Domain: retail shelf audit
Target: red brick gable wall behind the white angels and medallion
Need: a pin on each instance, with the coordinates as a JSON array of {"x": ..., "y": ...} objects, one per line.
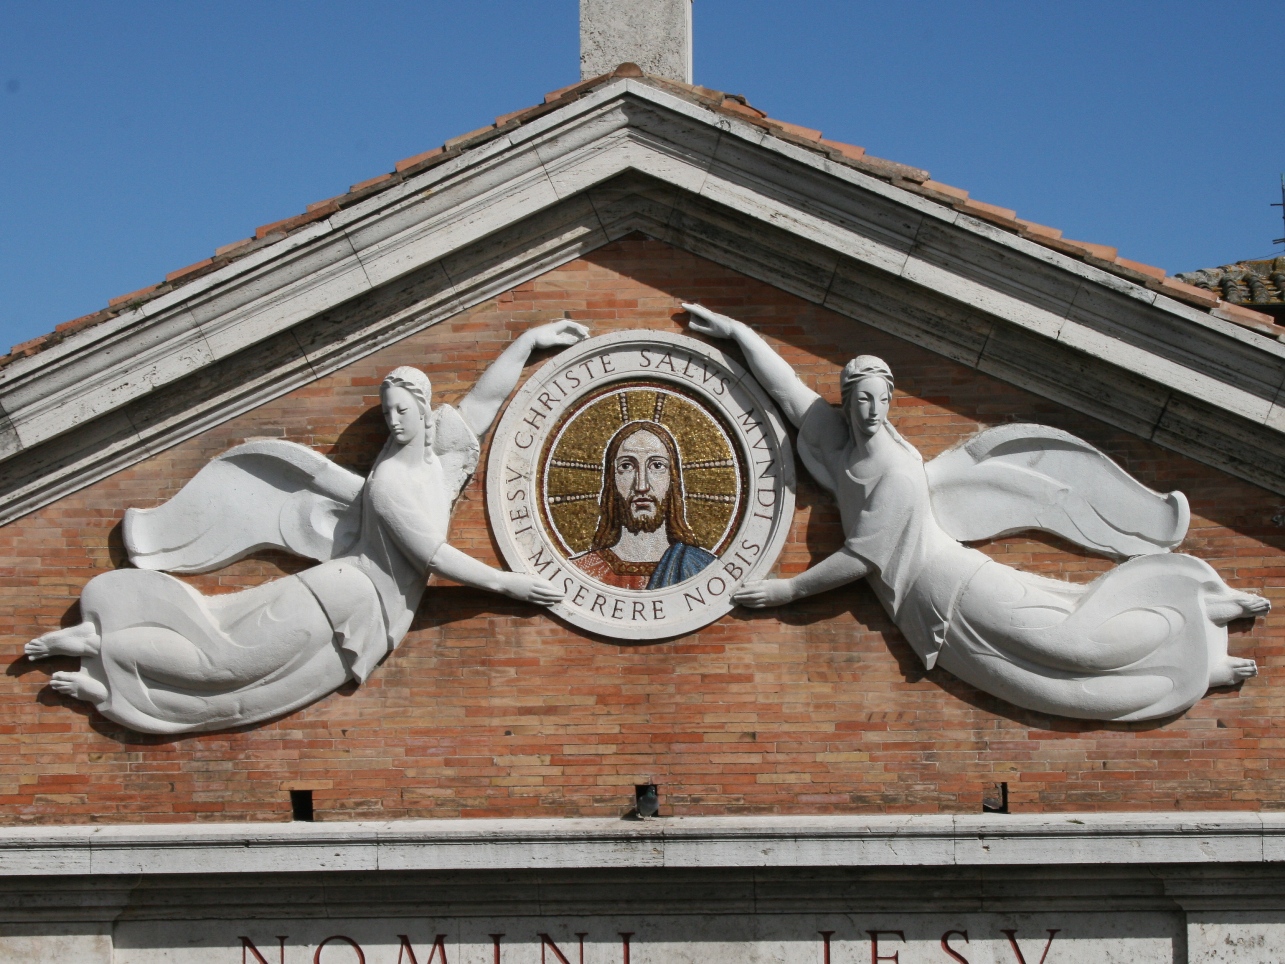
[{"x": 490, "y": 709}]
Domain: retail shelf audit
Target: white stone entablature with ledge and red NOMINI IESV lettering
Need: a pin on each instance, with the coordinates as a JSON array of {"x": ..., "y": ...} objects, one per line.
[{"x": 797, "y": 890}]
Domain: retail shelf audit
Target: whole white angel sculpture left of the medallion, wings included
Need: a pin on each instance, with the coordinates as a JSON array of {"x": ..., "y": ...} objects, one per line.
[{"x": 160, "y": 657}]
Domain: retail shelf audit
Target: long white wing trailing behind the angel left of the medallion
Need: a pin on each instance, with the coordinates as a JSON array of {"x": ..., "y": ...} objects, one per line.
[{"x": 269, "y": 494}]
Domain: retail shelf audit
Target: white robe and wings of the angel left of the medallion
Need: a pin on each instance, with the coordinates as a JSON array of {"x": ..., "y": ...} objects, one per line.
[{"x": 177, "y": 661}]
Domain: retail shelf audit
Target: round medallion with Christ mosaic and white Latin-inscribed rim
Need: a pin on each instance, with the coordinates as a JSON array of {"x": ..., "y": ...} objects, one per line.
[{"x": 648, "y": 476}]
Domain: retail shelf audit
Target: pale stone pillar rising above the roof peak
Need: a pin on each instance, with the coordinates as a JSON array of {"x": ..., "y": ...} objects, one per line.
[{"x": 653, "y": 34}]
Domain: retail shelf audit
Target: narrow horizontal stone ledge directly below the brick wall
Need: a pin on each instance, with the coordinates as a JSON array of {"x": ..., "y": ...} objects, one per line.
[{"x": 675, "y": 843}]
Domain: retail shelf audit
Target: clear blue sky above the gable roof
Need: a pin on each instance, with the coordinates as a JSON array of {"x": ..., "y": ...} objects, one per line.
[{"x": 138, "y": 137}]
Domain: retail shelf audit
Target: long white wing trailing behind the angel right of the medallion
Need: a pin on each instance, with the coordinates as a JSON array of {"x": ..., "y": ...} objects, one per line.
[{"x": 1022, "y": 478}]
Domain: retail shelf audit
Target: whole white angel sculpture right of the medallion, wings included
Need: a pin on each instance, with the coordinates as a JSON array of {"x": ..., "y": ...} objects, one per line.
[{"x": 1140, "y": 642}]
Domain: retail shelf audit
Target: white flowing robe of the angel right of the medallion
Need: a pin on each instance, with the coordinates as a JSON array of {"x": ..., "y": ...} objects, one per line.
[{"x": 1133, "y": 645}]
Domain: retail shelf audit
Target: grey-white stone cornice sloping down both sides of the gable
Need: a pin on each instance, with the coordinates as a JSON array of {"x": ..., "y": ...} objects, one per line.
[{"x": 632, "y": 157}]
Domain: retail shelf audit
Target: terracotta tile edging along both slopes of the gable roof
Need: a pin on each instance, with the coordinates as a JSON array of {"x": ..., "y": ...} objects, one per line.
[{"x": 905, "y": 177}]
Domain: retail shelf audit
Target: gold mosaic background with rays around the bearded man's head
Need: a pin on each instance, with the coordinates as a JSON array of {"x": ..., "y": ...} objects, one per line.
[{"x": 574, "y": 469}]
